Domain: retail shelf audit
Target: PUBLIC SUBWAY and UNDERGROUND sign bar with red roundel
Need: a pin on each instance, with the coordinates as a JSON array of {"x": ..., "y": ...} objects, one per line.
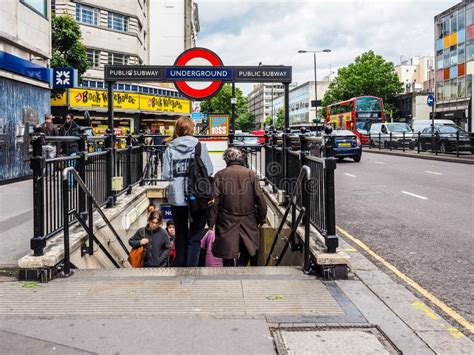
[{"x": 198, "y": 73}]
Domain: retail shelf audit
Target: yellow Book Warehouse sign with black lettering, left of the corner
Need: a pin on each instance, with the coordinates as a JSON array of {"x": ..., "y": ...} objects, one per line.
[{"x": 99, "y": 98}]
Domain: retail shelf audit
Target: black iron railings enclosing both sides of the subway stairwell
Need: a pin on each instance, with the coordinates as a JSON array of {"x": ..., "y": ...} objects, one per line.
[{"x": 98, "y": 160}]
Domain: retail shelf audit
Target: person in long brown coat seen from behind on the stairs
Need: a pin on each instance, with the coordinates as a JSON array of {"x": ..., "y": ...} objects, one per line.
[{"x": 238, "y": 213}]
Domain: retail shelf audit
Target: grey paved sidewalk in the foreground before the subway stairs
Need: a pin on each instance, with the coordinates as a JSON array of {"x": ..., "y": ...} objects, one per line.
[{"x": 222, "y": 311}]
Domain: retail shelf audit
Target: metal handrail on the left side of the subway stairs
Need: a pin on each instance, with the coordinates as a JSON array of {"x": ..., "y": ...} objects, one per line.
[{"x": 66, "y": 212}]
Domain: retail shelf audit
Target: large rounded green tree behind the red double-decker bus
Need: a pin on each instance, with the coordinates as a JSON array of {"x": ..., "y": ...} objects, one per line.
[{"x": 370, "y": 74}]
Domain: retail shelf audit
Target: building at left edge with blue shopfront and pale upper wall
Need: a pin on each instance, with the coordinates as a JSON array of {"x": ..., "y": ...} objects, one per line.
[{"x": 25, "y": 51}]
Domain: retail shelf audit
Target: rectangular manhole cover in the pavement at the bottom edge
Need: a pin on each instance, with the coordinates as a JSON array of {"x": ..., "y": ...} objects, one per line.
[{"x": 332, "y": 340}]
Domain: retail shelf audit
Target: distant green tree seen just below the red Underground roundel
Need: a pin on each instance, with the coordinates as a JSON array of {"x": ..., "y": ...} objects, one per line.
[{"x": 220, "y": 104}]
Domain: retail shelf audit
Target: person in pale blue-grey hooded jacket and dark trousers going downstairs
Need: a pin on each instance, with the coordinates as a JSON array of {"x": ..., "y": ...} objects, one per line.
[{"x": 189, "y": 221}]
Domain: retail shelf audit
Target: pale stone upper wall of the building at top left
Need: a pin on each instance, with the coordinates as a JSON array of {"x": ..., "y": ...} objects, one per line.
[{"x": 25, "y": 33}]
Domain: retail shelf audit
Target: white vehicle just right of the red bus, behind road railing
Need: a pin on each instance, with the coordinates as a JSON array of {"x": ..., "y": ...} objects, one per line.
[{"x": 394, "y": 134}]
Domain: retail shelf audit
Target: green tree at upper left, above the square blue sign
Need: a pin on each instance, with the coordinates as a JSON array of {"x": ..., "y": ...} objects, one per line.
[{"x": 67, "y": 48}]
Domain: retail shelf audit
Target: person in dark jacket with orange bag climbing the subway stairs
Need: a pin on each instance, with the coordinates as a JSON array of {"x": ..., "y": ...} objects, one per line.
[{"x": 154, "y": 239}]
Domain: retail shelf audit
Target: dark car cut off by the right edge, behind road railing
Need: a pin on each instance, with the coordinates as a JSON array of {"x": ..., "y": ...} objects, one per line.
[{"x": 446, "y": 139}]
